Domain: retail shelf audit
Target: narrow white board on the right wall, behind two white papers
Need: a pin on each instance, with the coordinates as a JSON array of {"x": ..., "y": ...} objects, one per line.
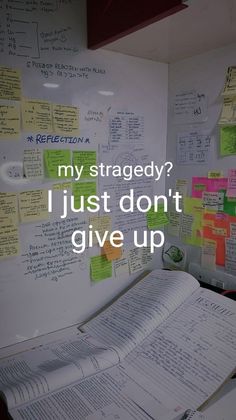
[{"x": 206, "y": 74}]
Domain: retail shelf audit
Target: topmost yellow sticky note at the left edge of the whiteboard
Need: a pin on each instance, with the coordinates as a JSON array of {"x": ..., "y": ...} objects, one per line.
[{"x": 10, "y": 84}]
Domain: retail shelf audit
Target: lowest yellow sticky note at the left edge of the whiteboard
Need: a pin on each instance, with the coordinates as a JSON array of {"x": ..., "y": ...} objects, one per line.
[{"x": 9, "y": 241}]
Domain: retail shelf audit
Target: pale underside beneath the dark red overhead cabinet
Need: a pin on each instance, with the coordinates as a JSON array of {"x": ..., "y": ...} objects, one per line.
[{"x": 203, "y": 26}]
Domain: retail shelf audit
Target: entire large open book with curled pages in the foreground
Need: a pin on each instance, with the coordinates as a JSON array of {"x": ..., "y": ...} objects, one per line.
[{"x": 163, "y": 346}]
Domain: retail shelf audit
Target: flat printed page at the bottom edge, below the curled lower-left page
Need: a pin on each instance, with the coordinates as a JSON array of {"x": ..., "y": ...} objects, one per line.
[{"x": 102, "y": 396}]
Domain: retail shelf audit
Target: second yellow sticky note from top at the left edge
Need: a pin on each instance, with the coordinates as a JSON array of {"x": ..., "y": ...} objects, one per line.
[{"x": 9, "y": 122}]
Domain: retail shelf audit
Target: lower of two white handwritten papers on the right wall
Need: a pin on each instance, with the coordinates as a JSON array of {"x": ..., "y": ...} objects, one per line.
[{"x": 193, "y": 148}]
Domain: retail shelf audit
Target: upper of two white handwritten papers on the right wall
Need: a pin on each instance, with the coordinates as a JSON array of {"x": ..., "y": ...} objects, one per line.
[{"x": 189, "y": 107}]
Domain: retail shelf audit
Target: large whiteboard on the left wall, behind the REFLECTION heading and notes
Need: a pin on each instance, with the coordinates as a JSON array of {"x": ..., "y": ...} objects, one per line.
[{"x": 46, "y": 41}]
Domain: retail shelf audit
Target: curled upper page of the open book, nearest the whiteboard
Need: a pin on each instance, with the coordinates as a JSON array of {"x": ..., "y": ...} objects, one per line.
[{"x": 140, "y": 310}]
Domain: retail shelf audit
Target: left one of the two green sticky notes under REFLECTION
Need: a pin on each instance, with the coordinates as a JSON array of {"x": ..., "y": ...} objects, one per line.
[{"x": 55, "y": 158}]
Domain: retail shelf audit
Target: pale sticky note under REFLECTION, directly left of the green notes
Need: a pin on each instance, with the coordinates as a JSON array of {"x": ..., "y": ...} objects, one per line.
[{"x": 33, "y": 164}]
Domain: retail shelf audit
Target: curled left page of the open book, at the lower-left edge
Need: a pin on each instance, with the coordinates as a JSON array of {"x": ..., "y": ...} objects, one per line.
[{"x": 36, "y": 372}]
